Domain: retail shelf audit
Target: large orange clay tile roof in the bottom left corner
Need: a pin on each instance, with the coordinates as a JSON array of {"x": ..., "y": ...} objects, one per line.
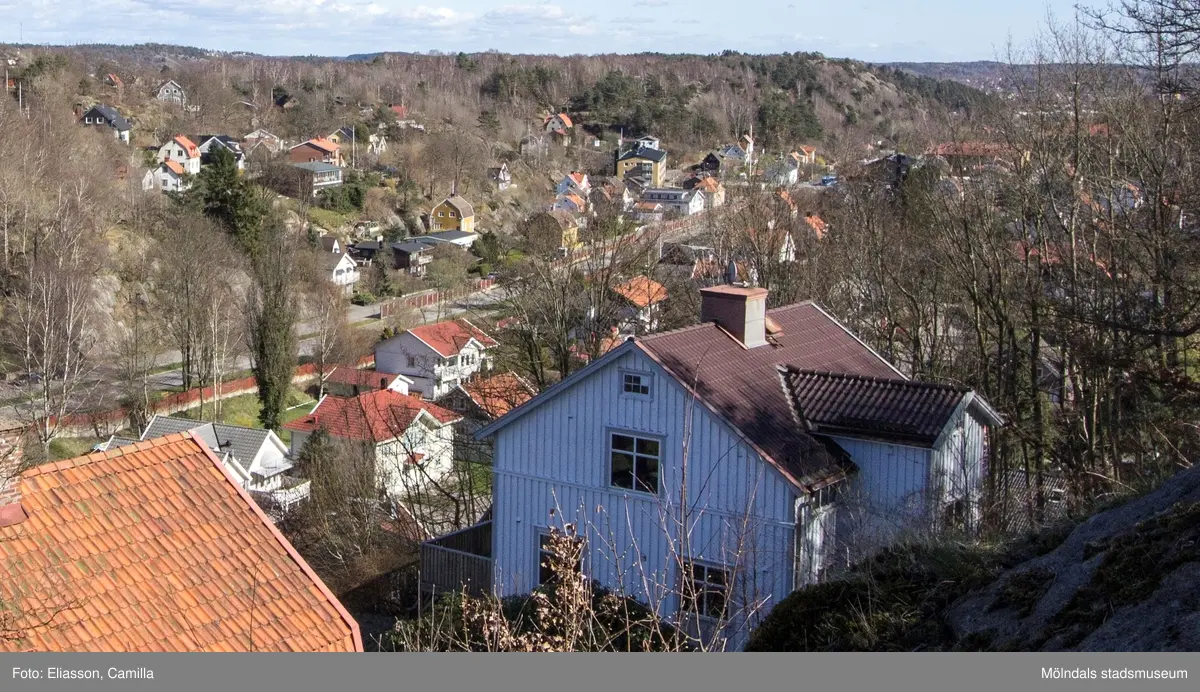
[{"x": 153, "y": 547}]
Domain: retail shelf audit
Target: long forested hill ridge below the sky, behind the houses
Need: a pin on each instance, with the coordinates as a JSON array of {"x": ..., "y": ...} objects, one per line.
[{"x": 692, "y": 101}]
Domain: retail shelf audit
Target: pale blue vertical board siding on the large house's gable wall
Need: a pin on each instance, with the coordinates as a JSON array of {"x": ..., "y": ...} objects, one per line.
[{"x": 553, "y": 467}]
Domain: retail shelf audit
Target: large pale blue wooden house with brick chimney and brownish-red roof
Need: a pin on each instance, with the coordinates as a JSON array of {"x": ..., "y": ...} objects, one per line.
[{"x": 788, "y": 444}]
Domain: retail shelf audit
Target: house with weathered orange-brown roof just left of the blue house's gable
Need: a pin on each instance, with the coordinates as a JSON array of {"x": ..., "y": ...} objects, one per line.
[{"x": 479, "y": 402}]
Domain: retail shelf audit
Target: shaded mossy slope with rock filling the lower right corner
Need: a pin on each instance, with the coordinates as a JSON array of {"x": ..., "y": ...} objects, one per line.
[{"x": 1124, "y": 580}]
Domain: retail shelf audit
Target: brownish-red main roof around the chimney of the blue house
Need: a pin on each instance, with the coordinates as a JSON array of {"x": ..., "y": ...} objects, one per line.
[{"x": 745, "y": 386}]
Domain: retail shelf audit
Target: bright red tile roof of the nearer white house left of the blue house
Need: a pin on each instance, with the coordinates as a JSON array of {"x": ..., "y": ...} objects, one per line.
[{"x": 374, "y": 417}]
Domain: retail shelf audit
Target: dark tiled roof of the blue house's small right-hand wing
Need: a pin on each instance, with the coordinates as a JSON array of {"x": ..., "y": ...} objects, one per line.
[{"x": 839, "y": 404}]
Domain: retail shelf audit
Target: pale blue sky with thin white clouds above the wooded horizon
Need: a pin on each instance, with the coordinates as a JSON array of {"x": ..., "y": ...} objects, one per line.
[{"x": 872, "y": 31}]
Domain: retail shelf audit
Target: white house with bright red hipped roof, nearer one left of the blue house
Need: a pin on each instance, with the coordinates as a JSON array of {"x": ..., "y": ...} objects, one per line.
[{"x": 411, "y": 441}]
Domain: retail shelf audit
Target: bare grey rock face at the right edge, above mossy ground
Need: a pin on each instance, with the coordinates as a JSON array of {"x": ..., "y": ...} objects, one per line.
[{"x": 1124, "y": 581}]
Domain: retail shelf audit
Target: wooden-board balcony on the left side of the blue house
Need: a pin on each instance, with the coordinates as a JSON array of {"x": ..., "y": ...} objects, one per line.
[{"x": 459, "y": 561}]
